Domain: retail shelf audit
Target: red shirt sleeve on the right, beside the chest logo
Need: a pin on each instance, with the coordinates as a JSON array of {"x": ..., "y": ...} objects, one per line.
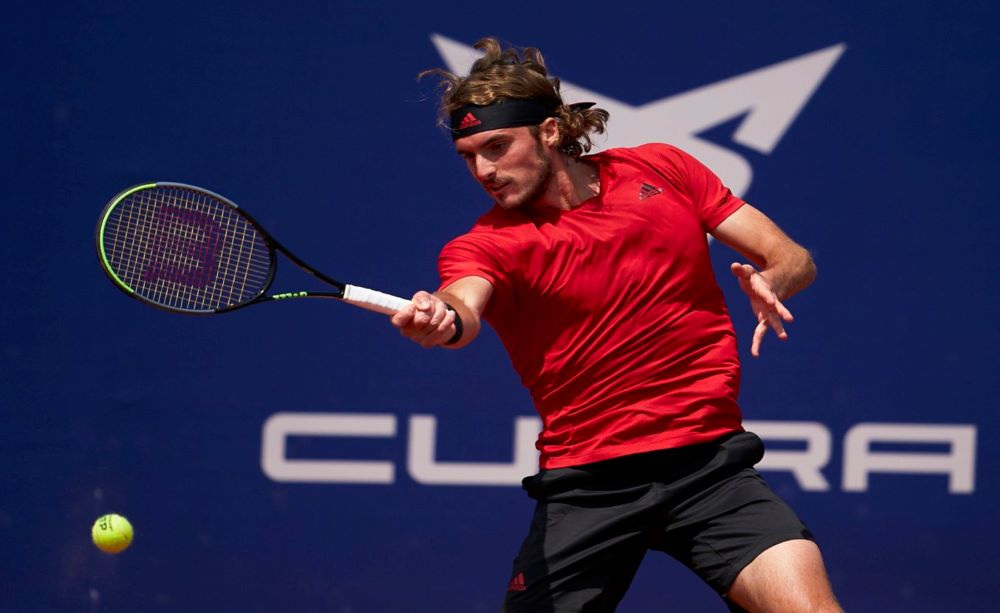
[{"x": 713, "y": 202}]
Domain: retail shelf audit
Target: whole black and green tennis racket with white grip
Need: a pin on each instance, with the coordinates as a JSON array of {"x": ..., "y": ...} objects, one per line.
[{"x": 189, "y": 250}]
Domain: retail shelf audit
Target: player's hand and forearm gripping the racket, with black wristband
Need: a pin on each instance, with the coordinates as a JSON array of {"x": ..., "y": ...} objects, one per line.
[{"x": 428, "y": 321}]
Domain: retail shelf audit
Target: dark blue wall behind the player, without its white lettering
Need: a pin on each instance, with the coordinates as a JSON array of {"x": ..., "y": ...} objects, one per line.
[{"x": 309, "y": 116}]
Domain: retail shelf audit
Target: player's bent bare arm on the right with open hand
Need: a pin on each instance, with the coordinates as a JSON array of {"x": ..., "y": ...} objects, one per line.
[{"x": 780, "y": 268}]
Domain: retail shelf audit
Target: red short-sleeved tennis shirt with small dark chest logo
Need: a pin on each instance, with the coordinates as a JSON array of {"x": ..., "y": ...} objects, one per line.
[{"x": 610, "y": 311}]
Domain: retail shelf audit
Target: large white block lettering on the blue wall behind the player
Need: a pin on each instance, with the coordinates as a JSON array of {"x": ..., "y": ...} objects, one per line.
[{"x": 806, "y": 465}]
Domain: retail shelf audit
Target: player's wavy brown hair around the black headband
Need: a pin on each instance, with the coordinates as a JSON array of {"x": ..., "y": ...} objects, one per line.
[{"x": 518, "y": 73}]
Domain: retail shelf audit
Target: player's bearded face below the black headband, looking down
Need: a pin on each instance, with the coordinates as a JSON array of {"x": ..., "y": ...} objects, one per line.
[{"x": 511, "y": 164}]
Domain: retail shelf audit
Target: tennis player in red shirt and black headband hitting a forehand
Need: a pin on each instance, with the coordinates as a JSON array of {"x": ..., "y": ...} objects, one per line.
[{"x": 594, "y": 270}]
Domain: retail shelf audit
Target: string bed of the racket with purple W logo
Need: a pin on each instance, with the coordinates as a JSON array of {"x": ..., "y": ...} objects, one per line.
[{"x": 185, "y": 249}]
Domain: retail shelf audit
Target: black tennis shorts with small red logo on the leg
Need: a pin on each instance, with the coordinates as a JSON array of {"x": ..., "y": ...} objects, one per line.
[{"x": 705, "y": 505}]
